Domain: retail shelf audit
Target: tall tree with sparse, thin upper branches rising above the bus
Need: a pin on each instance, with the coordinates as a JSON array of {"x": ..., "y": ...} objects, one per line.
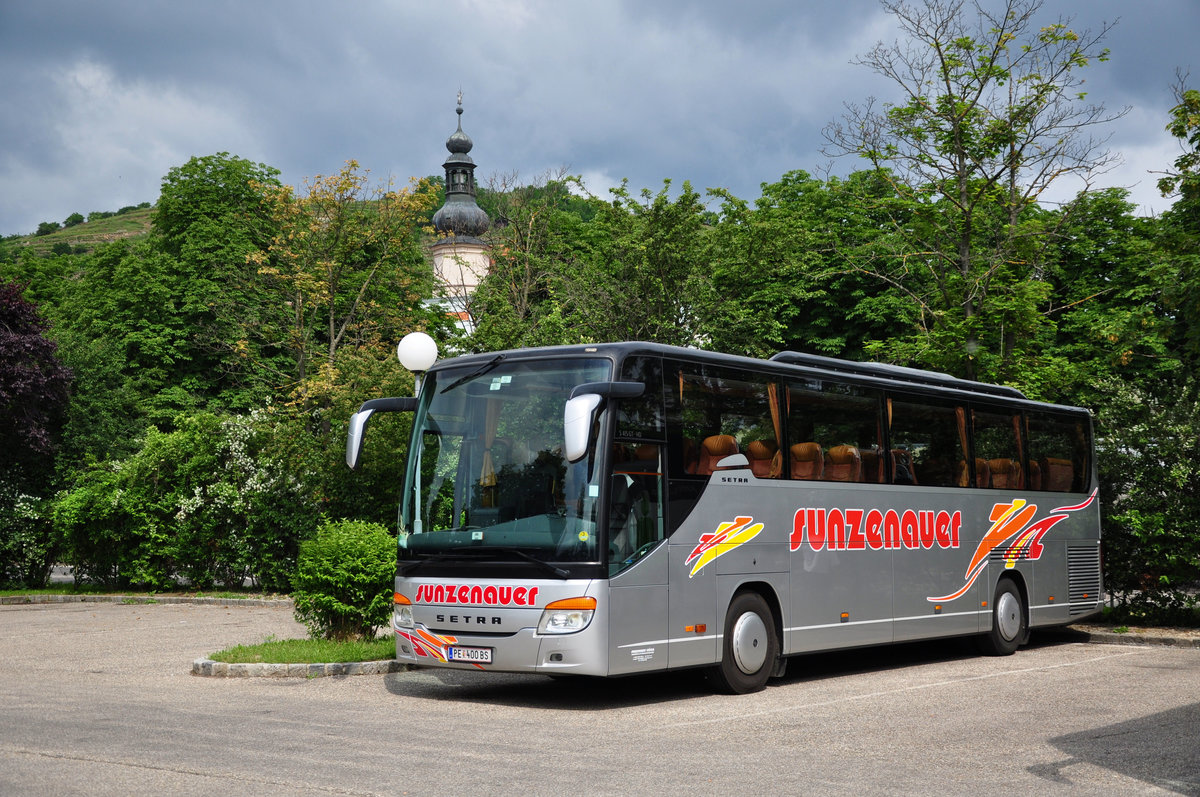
[{"x": 991, "y": 116}]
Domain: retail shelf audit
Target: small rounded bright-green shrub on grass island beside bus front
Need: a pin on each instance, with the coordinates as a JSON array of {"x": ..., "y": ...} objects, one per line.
[{"x": 344, "y": 580}]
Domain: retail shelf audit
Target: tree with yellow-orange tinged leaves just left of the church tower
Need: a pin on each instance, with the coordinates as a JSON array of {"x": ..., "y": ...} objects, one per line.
[{"x": 346, "y": 272}]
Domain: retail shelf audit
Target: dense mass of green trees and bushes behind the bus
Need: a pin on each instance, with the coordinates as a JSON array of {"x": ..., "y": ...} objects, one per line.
[{"x": 218, "y": 344}]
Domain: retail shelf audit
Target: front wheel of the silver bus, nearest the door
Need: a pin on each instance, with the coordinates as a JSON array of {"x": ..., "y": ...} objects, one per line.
[{"x": 751, "y": 646}]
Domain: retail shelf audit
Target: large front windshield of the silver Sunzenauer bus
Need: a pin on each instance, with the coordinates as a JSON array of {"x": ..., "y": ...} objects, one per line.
[{"x": 490, "y": 471}]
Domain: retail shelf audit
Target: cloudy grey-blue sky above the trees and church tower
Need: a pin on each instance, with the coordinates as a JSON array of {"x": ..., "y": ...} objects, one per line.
[{"x": 99, "y": 100}]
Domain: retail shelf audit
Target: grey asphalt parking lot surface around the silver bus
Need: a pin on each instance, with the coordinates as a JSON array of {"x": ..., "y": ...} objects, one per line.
[{"x": 98, "y": 699}]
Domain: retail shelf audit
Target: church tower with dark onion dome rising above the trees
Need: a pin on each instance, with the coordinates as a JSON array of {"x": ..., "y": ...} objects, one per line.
[{"x": 460, "y": 257}]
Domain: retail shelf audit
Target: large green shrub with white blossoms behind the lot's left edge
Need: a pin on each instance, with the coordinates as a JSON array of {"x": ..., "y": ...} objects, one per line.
[{"x": 203, "y": 505}]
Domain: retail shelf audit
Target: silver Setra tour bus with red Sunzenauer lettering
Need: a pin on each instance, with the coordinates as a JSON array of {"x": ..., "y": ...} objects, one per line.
[{"x": 628, "y": 508}]
